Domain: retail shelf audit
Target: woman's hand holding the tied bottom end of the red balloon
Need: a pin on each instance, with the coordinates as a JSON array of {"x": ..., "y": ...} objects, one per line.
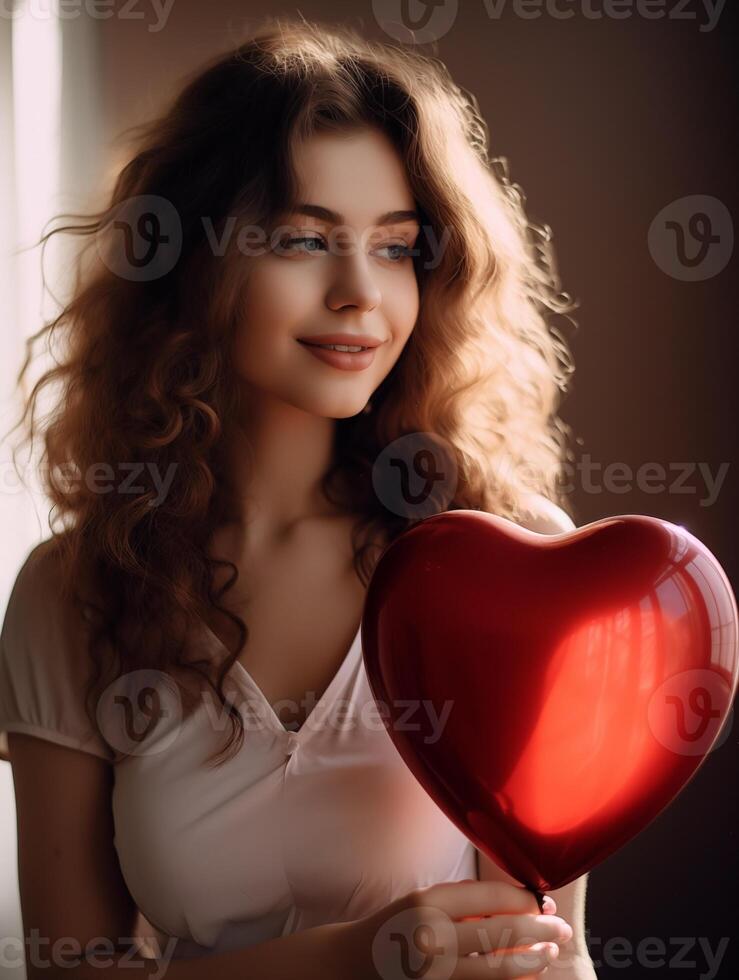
[{"x": 459, "y": 930}]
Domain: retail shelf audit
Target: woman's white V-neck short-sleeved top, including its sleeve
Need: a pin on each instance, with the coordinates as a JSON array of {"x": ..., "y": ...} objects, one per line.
[{"x": 325, "y": 824}]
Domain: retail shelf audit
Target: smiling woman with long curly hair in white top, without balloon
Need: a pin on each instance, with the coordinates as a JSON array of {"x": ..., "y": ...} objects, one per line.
[{"x": 307, "y": 189}]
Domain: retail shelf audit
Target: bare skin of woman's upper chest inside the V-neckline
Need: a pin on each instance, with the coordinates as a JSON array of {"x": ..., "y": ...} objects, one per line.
[{"x": 302, "y": 604}]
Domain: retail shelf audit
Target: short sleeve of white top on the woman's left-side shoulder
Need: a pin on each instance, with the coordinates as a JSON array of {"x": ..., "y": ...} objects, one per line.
[{"x": 44, "y": 666}]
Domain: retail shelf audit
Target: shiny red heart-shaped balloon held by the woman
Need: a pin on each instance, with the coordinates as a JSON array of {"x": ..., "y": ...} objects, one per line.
[{"x": 566, "y": 686}]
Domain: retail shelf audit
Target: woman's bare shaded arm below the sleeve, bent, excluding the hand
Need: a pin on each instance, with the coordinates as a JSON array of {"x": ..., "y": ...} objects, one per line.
[{"x": 74, "y": 898}]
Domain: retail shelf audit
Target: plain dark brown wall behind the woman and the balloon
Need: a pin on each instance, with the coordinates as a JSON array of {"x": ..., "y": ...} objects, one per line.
[{"x": 604, "y": 123}]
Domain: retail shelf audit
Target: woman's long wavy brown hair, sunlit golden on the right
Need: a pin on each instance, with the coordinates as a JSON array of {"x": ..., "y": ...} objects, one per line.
[{"x": 146, "y": 376}]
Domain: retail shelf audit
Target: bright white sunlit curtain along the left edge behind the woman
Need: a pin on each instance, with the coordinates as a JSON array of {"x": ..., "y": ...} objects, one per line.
[{"x": 51, "y": 161}]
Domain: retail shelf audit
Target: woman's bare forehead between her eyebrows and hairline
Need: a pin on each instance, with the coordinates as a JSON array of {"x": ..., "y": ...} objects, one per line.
[{"x": 358, "y": 174}]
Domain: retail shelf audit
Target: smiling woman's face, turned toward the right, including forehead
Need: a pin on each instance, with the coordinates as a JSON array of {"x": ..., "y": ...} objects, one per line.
[{"x": 320, "y": 274}]
